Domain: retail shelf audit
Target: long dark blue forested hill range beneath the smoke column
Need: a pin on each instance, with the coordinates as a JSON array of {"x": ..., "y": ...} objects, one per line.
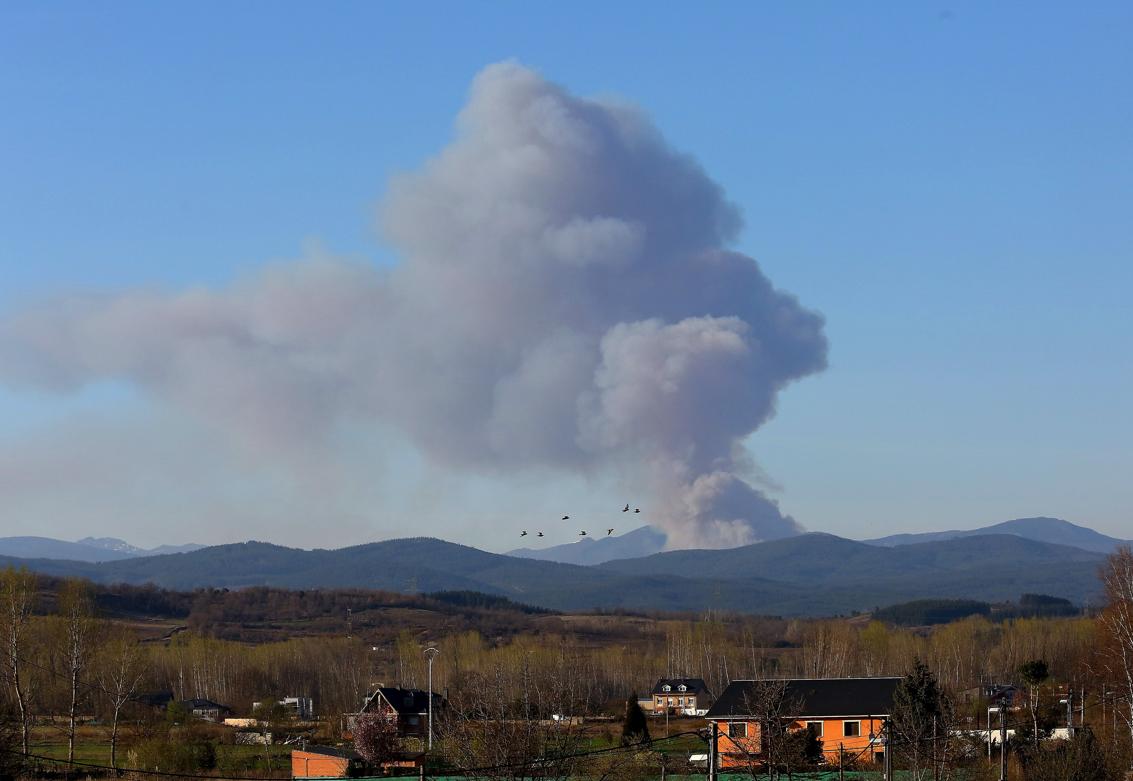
[{"x": 807, "y": 575}]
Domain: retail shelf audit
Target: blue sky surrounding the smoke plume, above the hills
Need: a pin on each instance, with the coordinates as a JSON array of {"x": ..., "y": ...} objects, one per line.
[{"x": 949, "y": 184}]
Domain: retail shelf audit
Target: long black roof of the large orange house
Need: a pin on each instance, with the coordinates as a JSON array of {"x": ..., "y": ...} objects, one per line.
[{"x": 814, "y": 698}]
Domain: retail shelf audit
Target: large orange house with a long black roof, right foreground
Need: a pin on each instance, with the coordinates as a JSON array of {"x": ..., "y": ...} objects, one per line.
[{"x": 847, "y": 715}]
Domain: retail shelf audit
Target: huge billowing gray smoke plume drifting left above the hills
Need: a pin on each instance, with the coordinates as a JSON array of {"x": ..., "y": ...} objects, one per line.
[{"x": 565, "y": 299}]
